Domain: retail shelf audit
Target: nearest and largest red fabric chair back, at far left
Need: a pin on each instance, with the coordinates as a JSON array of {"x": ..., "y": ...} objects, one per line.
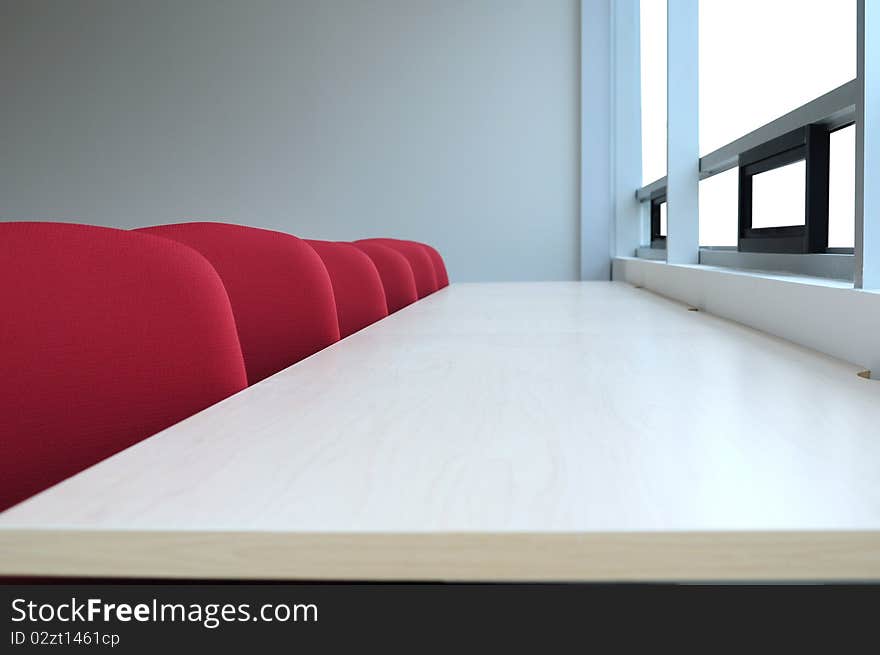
[{"x": 106, "y": 337}]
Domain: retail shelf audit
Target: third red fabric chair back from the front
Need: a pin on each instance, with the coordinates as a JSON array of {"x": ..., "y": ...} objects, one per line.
[{"x": 357, "y": 287}]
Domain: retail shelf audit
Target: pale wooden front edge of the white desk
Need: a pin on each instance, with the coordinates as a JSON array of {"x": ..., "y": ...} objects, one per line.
[{"x": 464, "y": 556}]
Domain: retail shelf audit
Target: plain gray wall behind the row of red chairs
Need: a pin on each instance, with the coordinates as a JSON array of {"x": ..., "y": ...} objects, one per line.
[{"x": 445, "y": 121}]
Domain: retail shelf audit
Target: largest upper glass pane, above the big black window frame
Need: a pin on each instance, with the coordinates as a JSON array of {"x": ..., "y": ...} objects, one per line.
[{"x": 759, "y": 59}]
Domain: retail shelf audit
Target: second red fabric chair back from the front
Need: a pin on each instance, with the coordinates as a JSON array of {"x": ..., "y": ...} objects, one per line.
[{"x": 278, "y": 286}]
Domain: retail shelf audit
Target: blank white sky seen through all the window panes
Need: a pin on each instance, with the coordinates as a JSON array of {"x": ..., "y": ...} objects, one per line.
[{"x": 759, "y": 59}]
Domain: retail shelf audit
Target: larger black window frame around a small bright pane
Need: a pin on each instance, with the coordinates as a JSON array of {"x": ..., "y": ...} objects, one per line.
[{"x": 810, "y": 144}]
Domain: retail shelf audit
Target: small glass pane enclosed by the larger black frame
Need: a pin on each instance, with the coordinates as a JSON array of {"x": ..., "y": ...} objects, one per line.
[{"x": 779, "y": 196}]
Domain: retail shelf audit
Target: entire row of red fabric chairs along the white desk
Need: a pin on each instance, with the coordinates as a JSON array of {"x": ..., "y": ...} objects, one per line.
[{"x": 108, "y": 336}]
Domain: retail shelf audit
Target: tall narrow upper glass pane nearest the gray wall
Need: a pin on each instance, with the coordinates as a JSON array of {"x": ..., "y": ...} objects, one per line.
[{"x": 653, "y": 71}]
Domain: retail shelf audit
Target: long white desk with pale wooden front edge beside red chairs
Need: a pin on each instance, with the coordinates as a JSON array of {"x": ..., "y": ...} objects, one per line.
[{"x": 522, "y": 431}]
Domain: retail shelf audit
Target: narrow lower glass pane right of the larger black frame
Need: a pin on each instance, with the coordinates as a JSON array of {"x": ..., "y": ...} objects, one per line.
[{"x": 842, "y": 189}]
